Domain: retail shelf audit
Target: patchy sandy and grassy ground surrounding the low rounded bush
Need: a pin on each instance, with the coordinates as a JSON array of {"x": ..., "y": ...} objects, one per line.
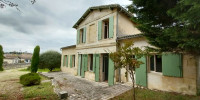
[{"x": 11, "y": 89}]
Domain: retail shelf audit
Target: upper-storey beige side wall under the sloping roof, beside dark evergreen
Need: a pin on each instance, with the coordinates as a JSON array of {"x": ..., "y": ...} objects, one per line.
[{"x": 126, "y": 26}]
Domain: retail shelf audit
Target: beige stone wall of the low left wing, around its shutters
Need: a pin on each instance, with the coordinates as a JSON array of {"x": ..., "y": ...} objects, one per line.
[{"x": 69, "y": 51}]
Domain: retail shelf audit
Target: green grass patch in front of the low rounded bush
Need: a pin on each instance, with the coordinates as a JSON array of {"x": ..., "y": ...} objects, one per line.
[{"x": 42, "y": 91}]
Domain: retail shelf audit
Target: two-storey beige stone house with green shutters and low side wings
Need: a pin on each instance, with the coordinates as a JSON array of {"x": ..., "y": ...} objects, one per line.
[{"x": 99, "y": 29}]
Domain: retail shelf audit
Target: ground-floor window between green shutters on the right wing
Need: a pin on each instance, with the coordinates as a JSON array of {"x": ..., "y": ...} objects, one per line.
[{"x": 155, "y": 63}]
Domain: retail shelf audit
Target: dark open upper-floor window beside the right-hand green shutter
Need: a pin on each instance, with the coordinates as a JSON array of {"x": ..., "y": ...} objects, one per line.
[{"x": 105, "y": 34}]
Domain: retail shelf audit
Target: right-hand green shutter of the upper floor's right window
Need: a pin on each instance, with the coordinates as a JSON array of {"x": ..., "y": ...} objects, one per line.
[{"x": 111, "y": 27}]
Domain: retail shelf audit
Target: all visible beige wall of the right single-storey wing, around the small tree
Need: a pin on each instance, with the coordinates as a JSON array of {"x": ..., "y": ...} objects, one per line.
[{"x": 155, "y": 80}]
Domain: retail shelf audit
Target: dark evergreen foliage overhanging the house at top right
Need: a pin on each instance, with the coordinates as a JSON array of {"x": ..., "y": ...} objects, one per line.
[{"x": 171, "y": 25}]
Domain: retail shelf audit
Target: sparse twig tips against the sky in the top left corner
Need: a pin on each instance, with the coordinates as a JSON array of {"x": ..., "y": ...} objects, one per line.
[{"x": 4, "y": 3}]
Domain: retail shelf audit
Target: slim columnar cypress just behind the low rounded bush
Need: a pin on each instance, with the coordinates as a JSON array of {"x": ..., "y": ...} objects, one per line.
[{"x": 35, "y": 59}]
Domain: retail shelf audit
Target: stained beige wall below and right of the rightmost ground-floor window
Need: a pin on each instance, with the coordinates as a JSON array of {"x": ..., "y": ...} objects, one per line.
[{"x": 187, "y": 84}]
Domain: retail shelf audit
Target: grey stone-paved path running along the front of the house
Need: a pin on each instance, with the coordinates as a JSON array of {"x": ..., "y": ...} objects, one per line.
[{"x": 83, "y": 89}]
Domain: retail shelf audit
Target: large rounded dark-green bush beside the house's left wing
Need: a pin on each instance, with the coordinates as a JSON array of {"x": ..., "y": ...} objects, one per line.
[{"x": 50, "y": 60}]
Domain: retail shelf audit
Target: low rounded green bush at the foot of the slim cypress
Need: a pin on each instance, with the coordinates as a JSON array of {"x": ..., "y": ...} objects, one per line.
[{"x": 30, "y": 79}]
